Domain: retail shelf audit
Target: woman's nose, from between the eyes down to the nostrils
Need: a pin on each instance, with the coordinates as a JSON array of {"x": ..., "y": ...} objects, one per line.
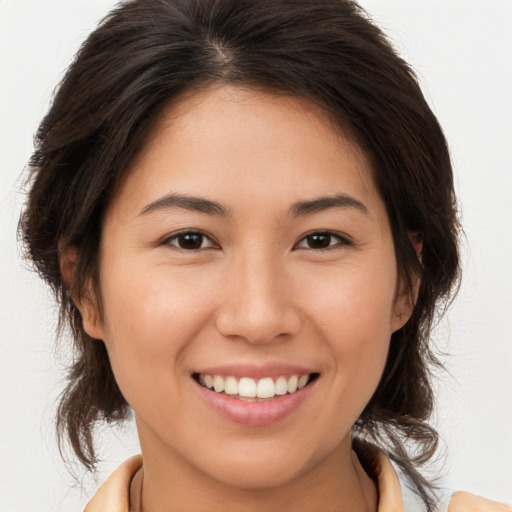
[{"x": 257, "y": 303}]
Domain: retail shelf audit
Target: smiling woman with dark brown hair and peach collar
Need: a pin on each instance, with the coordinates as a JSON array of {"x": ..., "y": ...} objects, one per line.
[{"x": 246, "y": 210}]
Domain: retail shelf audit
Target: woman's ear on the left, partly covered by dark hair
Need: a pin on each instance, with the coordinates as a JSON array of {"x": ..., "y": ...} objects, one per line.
[{"x": 84, "y": 299}]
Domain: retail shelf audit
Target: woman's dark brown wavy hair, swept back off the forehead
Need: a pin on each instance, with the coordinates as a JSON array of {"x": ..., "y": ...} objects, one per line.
[{"x": 140, "y": 58}]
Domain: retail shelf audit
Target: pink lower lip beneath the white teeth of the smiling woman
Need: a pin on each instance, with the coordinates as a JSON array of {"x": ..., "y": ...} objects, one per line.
[{"x": 255, "y": 414}]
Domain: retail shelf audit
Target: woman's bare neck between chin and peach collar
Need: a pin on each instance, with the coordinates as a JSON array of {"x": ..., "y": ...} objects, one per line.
[{"x": 338, "y": 484}]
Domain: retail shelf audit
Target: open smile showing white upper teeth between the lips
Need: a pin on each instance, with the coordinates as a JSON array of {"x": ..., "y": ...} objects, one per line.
[{"x": 255, "y": 390}]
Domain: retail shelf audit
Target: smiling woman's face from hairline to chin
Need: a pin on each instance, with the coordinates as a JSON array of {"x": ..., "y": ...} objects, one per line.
[{"x": 248, "y": 241}]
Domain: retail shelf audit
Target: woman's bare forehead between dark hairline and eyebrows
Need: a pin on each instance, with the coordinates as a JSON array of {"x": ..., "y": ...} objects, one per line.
[{"x": 224, "y": 139}]
